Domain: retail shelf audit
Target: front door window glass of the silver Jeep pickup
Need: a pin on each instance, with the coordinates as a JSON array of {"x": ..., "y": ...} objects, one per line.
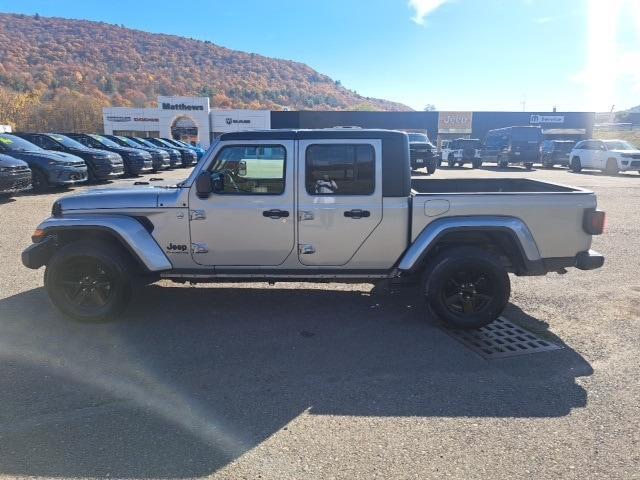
[{"x": 251, "y": 169}]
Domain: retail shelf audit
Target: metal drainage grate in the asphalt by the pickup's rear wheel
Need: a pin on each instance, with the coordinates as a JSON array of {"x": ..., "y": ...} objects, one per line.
[{"x": 502, "y": 338}]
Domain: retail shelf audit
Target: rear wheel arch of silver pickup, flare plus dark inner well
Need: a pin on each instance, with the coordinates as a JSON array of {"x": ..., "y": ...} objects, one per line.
[{"x": 507, "y": 237}]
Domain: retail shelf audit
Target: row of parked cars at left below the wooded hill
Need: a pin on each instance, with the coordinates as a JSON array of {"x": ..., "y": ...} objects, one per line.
[{"x": 42, "y": 160}]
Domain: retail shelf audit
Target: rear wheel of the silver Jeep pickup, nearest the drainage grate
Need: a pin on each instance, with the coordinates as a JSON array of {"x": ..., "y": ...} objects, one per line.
[{"x": 466, "y": 287}]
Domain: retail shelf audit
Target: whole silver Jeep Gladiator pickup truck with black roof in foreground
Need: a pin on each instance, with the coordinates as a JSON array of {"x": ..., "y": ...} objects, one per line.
[{"x": 334, "y": 205}]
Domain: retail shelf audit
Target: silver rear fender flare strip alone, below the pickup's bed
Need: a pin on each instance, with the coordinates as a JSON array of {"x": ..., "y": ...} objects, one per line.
[{"x": 428, "y": 238}]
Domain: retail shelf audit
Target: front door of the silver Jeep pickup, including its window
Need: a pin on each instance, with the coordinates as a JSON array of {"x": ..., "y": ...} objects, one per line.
[{"x": 250, "y": 220}]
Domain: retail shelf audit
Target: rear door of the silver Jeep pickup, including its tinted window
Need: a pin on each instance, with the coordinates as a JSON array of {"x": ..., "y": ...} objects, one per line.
[{"x": 339, "y": 198}]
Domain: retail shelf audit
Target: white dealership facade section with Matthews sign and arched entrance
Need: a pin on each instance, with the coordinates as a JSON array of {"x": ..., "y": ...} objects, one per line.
[{"x": 186, "y": 118}]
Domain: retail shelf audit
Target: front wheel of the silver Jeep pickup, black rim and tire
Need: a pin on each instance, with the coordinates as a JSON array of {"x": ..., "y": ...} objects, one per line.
[{"x": 89, "y": 281}]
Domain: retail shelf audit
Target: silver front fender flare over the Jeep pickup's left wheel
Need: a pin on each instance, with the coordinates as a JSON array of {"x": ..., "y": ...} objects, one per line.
[{"x": 131, "y": 233}]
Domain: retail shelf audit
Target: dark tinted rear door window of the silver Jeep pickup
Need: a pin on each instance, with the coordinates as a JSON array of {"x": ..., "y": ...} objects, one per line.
[{"x": 340, "y": 169}]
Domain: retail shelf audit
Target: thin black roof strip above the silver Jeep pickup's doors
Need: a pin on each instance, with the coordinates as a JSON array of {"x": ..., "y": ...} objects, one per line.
[{"x": 313, "y": 134}]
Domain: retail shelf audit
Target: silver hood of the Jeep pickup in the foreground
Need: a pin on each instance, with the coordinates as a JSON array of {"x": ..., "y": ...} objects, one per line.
[{"x": 119, "y": 198}]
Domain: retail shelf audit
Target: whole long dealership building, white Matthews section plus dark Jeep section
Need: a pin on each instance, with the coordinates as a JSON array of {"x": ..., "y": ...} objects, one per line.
[{"x": 192, "y": 119}]
